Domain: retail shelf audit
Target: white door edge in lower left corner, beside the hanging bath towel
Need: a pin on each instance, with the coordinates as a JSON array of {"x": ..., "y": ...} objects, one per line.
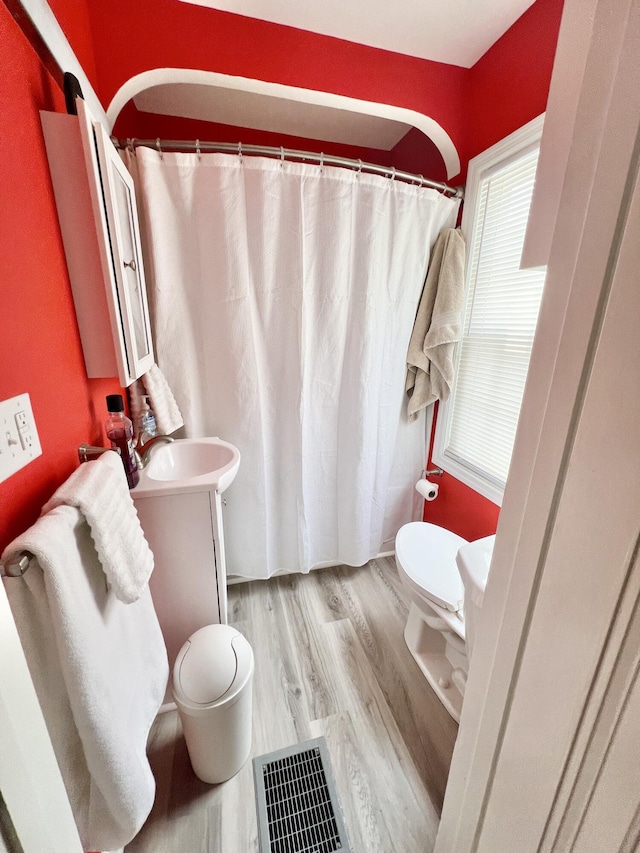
[{"x": 35, "y": 815}]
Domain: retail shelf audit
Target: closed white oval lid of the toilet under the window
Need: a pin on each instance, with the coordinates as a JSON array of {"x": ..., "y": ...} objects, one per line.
[{"x": 426, "y": 554}]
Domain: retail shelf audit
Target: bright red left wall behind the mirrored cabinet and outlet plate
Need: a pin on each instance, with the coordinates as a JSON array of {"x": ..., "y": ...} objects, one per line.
[{"x": 39, "y": 346}]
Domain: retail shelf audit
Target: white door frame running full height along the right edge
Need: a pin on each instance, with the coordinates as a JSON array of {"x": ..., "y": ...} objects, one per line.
[{"x": 563, "y": 586}]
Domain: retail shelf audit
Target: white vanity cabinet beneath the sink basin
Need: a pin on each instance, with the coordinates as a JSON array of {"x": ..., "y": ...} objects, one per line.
[{"x": 188, "y": 583}]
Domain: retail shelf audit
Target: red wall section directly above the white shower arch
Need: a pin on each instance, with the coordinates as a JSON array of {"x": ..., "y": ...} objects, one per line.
[{"x": 232, "y": 44}]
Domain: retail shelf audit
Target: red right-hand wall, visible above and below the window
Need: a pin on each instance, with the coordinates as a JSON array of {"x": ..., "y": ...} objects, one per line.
[{"x": 507, "y": 88}]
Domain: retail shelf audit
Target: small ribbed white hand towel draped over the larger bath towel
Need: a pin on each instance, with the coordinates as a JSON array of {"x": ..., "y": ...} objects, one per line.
[{"x": 99, "y": 490}]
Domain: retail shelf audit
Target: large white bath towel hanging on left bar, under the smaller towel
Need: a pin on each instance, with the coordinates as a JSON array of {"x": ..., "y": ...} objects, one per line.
[{"x": 100, "y": 671}]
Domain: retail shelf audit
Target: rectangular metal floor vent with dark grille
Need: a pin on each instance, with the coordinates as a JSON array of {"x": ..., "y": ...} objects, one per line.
[{"x": 297, "y": 803}]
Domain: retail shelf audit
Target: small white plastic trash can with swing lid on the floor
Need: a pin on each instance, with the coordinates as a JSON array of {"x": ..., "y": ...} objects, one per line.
[{"x": 212, "y": 680}]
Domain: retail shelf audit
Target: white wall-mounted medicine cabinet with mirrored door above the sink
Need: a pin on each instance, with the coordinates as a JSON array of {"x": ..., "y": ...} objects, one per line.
[{"x": 96, "y": 205}]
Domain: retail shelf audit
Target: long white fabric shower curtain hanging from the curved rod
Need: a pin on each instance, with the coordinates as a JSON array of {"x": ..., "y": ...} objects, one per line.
[{"x": 283, "y": 298}]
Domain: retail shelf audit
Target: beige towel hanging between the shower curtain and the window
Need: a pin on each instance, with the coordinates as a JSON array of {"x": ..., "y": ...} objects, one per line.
[{"x": 438, "y": 324}]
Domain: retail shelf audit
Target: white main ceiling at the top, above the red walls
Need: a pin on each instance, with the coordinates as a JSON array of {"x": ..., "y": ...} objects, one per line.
[{"x": 457, "y": 32}]
